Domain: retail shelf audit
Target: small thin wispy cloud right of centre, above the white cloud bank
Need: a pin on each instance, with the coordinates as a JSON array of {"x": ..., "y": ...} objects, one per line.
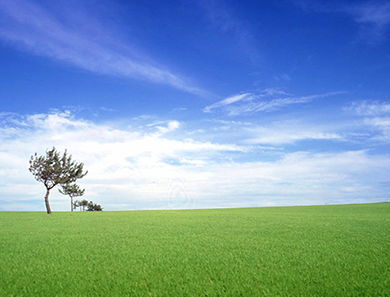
[{"x": 266, "y": 101}]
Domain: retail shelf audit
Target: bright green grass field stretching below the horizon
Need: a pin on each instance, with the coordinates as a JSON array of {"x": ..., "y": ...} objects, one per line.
[{"x": 282, "y": 251}]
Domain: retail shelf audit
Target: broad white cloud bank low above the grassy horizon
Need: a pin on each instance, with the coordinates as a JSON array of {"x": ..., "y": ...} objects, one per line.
[{"x": 137, "y": 168}]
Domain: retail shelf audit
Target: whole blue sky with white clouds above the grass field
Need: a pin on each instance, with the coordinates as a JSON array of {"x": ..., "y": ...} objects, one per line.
[{"x": 197, "y": 104}]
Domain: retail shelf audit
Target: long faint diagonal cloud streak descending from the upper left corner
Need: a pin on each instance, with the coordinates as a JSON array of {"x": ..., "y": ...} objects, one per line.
[{"x": 43, "y": 32}]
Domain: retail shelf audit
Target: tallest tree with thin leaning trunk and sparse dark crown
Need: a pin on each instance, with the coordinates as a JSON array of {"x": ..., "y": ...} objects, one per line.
[{"x": 53, "y": 169}]
